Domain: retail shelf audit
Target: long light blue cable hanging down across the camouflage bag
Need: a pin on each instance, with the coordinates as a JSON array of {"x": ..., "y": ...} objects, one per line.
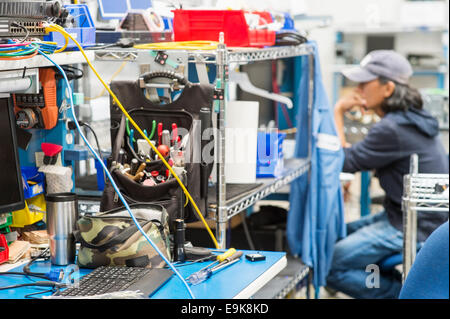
[{"x": 110, "y": 177}]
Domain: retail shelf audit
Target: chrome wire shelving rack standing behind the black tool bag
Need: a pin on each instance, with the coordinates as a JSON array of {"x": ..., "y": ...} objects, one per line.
[{"x": 222, "y": 57}]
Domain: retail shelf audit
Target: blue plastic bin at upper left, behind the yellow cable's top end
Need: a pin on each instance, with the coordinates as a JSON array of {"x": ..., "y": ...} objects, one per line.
[{"x": 83, "y": 32}]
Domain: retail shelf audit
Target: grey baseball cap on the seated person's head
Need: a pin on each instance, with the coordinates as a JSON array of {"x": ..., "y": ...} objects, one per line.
[{"x": 386, "y": 63}]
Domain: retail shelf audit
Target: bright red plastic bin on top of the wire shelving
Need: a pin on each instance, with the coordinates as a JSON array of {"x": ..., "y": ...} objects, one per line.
[{"x": 206, "y": 25}]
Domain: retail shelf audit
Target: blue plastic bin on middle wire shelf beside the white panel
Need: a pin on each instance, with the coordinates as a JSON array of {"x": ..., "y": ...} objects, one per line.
[{"x": 269, "y": 162}]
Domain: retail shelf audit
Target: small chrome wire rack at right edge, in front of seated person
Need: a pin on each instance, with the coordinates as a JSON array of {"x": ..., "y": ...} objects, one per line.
[{"x": 419, "y": 195}]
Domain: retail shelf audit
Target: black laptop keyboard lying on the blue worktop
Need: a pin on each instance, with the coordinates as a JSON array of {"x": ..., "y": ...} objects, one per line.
[{"x": 109, "y": 279}]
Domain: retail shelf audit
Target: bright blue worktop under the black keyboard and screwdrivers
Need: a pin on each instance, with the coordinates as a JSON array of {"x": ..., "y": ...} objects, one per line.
[{"x": 240, "y": 280}]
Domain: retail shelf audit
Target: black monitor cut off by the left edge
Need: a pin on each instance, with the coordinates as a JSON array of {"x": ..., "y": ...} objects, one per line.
[{"x": 11, "y": 187}]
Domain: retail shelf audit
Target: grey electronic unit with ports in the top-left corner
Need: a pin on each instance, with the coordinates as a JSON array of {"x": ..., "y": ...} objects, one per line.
[{"x": 21, "y": 18}]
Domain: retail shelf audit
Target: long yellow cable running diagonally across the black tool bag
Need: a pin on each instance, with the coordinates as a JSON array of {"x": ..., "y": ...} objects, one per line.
[{"x": 61, "y": 30}]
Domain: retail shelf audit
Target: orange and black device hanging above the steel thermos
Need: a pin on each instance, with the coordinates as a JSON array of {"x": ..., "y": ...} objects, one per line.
[{"x": 38, "y": 110}]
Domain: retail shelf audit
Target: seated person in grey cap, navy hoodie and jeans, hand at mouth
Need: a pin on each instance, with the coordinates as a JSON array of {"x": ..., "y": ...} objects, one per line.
[{"x": 404, "y": 129}]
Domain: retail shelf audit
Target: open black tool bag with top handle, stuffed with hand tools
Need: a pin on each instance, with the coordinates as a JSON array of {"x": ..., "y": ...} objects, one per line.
[{"x": 184, "y": 111}]
